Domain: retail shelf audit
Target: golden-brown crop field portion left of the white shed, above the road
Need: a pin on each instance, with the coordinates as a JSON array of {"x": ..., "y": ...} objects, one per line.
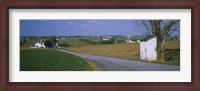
[{"x": 126, "y": 51}]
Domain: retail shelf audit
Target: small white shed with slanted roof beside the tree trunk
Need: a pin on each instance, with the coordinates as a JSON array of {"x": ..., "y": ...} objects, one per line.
[{"x": 148, "y": 48}]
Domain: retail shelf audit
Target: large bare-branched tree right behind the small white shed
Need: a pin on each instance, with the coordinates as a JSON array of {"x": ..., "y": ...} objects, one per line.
[{"x": 161, "y": 29}]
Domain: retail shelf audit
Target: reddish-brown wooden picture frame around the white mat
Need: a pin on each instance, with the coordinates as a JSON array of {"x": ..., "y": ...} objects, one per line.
[{"x": 100, "y": 4}]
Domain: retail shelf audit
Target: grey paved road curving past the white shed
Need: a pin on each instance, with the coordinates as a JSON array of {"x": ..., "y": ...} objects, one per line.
[{"x": 116, "y": 64}]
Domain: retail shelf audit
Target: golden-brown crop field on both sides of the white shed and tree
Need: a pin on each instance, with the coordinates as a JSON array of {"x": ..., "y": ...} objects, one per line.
[{"x": 128, "y": 51}]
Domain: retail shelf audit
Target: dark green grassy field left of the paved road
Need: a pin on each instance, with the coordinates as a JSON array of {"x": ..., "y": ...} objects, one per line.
[{"x": 50, "y": 60}]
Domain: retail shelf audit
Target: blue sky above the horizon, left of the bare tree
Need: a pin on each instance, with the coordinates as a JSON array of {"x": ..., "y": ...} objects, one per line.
[{"x": 79, "y": 27}]
